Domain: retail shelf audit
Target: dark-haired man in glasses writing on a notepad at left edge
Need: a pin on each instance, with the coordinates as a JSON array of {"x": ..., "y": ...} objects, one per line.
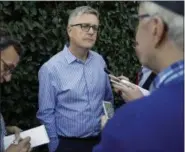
[{"x": 10, "y": 51}]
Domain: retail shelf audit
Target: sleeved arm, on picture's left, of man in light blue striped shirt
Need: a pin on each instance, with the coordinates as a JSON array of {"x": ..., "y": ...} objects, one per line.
[{"x": 46, "y": 110}]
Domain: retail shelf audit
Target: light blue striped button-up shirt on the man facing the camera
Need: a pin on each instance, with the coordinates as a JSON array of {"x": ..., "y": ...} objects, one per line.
[{"x": 71, "y": 94}]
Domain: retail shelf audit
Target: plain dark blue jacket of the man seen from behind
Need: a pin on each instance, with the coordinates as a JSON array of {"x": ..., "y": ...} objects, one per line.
[{"x": 151, "y": 124}]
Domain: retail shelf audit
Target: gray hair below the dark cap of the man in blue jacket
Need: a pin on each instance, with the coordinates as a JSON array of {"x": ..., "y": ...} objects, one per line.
[{"x": 173, "y": 21}]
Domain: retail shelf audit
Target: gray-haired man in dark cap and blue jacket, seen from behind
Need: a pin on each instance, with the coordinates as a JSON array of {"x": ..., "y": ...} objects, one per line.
[{"x": 154, "y": 123}]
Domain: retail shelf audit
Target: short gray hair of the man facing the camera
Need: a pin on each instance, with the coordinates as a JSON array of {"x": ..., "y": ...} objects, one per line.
[{"x": 80, "y": 11}]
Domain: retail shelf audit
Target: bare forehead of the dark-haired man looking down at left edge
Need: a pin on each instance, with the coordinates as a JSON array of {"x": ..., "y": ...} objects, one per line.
[{"x": 10, "y": 54}]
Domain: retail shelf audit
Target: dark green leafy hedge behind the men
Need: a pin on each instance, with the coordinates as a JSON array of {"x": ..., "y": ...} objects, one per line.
[{"x": 41, "y": 28}]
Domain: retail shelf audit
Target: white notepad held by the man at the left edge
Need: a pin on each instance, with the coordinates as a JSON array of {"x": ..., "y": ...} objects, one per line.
[{"x": 38, "y": 136}]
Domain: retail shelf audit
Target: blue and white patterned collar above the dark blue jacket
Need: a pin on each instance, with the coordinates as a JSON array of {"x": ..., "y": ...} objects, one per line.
[{"x": 169, "y": 74}]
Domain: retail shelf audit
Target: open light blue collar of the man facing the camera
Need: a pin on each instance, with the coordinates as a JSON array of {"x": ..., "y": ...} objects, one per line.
[{"x": 71, "y": 58}]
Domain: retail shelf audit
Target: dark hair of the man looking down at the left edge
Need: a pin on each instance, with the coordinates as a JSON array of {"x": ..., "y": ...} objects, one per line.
[{"x": 6, "y": 41}]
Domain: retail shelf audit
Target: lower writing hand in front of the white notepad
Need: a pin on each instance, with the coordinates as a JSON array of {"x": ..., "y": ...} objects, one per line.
[{"x": 23, "y": 146}]
